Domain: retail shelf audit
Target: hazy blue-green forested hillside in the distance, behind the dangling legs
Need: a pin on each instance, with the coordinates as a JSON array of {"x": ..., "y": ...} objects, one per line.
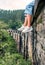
[{"x": 11, "y": 19}]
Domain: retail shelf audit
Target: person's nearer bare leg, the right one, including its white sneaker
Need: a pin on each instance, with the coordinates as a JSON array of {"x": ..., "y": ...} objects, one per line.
[{"x": 28, "y": 26}]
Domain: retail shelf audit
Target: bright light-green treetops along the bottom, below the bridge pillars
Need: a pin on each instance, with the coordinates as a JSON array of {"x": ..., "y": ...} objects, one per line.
[{"x": 14, "y": 59}]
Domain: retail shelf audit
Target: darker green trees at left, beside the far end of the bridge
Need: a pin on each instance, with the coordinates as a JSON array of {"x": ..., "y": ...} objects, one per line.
[{"x": 7, "y": 43}]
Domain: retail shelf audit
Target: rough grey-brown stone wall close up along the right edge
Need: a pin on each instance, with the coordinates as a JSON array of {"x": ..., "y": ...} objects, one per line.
[{"x": 39, "y": 40}]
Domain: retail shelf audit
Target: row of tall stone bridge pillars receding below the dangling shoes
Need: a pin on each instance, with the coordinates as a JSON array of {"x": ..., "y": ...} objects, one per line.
[{"x": 24, "y": 43}]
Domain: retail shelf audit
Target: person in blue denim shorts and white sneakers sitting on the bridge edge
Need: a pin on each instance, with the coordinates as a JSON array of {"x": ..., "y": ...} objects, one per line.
[{"x": 26, "y": 27}]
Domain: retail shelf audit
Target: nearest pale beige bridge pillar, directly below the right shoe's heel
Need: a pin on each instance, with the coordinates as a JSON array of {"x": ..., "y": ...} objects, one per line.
[{"x": 30, "y": 45}]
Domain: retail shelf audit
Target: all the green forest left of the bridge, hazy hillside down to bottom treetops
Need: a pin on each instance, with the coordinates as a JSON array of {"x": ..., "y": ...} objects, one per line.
[{"x": 8, "y": 47}]
